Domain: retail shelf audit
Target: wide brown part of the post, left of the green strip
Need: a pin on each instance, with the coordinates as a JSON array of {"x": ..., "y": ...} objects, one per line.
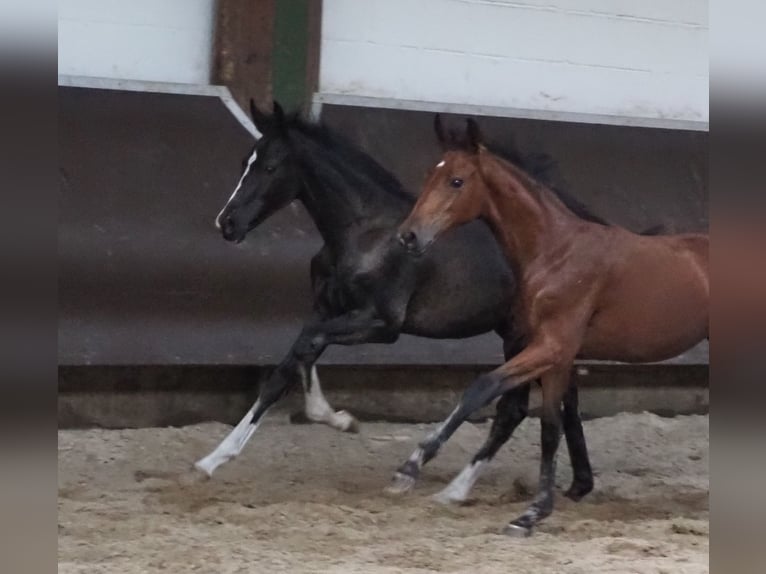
[{"x": 243, "y": 49}]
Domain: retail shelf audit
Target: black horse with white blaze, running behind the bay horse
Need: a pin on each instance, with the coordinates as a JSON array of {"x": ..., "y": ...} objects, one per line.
[{"x": 366, "y": 287}]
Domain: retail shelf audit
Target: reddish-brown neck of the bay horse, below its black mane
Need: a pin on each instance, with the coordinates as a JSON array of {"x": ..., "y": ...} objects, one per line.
[{"x": 527, "y": 218}]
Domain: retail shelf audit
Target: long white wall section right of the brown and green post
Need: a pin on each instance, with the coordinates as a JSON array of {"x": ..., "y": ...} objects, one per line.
[{"x": 619, "y": 58}]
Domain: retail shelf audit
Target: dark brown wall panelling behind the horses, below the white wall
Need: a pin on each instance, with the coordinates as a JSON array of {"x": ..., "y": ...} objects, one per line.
[{"x": 144, "y": 278}]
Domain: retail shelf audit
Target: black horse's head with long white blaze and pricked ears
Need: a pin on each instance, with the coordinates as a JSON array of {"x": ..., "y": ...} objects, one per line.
[{"x": 268, "y": 181}]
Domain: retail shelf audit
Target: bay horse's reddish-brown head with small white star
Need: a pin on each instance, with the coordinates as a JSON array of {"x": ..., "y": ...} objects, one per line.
[{"x": 452, "y": 194}]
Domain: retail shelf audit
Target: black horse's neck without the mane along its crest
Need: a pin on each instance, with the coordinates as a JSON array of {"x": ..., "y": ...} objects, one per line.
[{"x": 340, "y": 197}]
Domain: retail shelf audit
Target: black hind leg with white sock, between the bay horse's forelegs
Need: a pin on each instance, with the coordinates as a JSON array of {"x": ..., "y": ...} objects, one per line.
[{"x": 512, "y": 409}]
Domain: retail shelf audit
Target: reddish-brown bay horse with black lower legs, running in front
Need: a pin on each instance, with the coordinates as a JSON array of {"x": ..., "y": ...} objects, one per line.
[{"x": 585, "y": 289}]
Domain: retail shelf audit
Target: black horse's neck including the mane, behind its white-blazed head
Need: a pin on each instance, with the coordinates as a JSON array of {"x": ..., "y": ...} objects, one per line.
[{"x": 345, "y": 191}]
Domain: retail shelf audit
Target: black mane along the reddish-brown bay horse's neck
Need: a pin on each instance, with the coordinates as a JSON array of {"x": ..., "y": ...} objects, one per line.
[{"x": 544, "y": 169}]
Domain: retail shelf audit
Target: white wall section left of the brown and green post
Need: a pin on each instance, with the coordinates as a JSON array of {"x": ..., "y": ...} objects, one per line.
[{"x": 153, "y": 40}]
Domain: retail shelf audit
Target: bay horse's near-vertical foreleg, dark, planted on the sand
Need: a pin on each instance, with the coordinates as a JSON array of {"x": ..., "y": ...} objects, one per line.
[{"x": 554, "y": 388}]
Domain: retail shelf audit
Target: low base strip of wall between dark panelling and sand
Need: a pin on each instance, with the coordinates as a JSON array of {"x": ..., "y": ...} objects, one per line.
[{"x": 118, "y": 397}]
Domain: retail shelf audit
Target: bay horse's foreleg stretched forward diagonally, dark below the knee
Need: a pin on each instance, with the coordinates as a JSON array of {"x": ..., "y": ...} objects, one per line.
[{"x": 532, "y": 362}]
